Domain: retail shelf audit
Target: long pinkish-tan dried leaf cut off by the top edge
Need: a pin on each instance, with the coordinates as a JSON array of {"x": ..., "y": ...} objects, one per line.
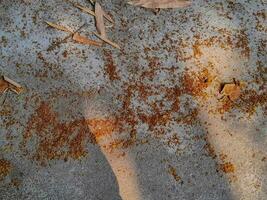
[{"x": 160, "y": 3}]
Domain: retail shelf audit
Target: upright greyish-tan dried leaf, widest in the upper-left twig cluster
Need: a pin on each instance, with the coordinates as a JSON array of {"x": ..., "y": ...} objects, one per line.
[{"x": 100, "y": 26}]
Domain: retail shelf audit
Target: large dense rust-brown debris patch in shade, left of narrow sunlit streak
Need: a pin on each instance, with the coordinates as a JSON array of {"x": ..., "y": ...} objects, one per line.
[{"x": 56, "y": 140}]
